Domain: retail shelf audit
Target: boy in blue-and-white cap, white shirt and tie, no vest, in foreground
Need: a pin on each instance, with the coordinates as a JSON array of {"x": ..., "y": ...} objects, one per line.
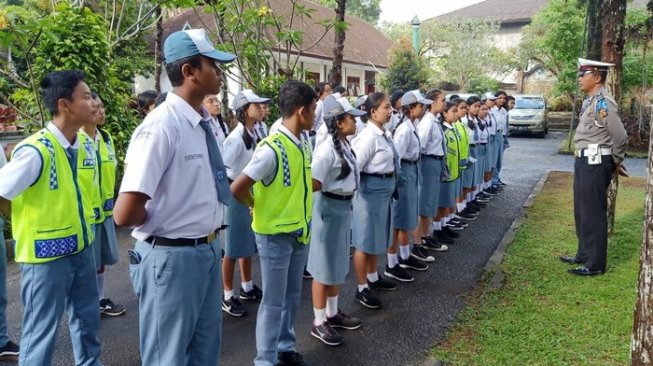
[{"x": 175, "y": 266}]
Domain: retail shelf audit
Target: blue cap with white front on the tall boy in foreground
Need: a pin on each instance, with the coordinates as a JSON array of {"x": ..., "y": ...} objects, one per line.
[{"x": 192, "y": 42}]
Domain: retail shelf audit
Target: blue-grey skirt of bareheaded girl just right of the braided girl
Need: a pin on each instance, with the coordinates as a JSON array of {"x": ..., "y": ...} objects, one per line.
[{"x": 371, "y": 234}]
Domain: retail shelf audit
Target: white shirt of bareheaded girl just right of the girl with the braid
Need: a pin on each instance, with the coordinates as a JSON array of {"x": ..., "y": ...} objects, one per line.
[{"x": 374, "y": 153}]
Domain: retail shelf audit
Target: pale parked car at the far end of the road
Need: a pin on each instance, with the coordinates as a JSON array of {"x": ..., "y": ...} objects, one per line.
[{"x": 529, "y": 115}]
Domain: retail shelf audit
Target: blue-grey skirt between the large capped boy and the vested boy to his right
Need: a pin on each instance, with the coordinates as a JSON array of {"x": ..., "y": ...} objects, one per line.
[{"x": 240, "y": 241}]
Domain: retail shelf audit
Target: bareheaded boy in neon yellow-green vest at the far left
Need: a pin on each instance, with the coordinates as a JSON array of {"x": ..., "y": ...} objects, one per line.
[{"x": 52, "y": 219}]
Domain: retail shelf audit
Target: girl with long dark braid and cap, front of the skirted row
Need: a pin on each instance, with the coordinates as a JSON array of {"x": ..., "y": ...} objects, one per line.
[{"x": 336, "y": 178}]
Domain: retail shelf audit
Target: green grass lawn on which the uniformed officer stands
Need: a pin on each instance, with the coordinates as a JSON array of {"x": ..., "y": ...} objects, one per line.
[{"x": 543, "y": 315}]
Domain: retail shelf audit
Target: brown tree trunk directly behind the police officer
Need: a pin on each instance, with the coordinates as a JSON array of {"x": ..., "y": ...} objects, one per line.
[{"x": 613, "y": 18}]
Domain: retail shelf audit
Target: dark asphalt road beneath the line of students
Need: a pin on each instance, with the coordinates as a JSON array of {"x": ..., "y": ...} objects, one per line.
[{"x": 414, "y": 318}]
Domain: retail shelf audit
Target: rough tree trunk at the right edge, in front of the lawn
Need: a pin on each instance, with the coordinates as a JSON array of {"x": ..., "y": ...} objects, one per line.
[{"x": 641, "y": 345}]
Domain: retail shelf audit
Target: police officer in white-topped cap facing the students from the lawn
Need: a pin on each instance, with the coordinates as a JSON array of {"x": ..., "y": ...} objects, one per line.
[{"x": 600, "y": 141}]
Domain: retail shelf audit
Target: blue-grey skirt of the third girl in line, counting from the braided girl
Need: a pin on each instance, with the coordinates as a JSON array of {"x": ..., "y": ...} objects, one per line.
[{"x": 404, "y": 208}]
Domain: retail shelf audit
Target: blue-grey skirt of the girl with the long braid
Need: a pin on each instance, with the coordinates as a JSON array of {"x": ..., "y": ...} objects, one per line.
[{"x": 328, "y": 254}]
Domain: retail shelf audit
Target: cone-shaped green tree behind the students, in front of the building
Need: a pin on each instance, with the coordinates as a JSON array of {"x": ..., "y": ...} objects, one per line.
[{"x": 407, "y": 71}]
